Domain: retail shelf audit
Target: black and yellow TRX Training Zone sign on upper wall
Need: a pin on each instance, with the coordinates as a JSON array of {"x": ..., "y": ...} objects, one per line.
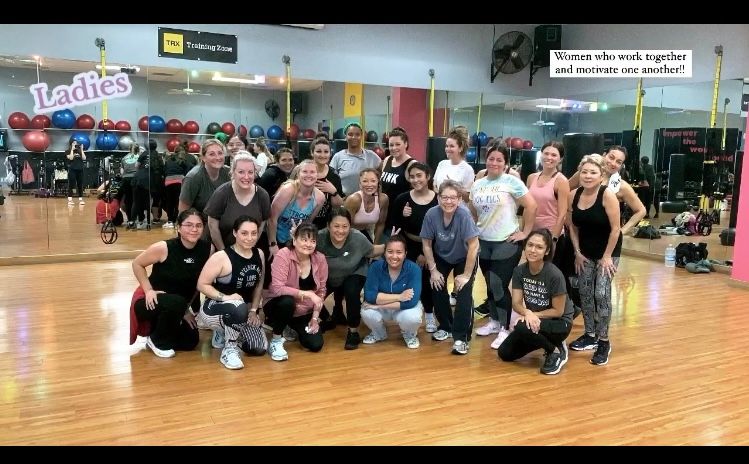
[{"x": 197, "y": 46}]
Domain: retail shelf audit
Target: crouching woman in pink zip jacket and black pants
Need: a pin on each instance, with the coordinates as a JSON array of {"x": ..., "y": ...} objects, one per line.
[{"x": 295, "y": 298}]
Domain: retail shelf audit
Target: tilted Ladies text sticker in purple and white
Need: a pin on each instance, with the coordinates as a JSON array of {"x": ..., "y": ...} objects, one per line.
[{"x": 87, "y": 88}]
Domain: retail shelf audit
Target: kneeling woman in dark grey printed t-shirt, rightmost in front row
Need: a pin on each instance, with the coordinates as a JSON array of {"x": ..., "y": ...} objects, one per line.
[{"x": 539, "y": 295}]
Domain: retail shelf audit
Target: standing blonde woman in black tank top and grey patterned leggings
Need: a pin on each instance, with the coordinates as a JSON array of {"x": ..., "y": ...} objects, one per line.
[{"x": 596, "y": 237}]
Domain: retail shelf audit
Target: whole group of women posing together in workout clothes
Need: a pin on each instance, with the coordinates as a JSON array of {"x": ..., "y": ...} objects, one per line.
[{"x": 322, "y": 232}]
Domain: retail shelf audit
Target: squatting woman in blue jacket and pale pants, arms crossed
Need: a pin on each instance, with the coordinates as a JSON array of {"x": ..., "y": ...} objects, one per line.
[{"x": 393, "y": 292}]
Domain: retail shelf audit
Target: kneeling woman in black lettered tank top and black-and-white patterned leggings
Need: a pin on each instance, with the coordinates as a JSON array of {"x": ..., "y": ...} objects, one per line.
[{"x": 231, "y": 281}]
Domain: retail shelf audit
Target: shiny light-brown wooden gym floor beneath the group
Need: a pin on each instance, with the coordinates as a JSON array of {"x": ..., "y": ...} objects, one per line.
[{"x": 677, "y": 375}]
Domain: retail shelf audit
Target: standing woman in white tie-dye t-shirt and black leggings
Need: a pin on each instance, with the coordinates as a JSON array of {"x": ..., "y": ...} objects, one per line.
[{"x": 494, "y": 201}]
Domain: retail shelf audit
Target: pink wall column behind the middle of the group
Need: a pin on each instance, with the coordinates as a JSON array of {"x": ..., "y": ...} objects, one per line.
[{"x": 410, "y": 111}]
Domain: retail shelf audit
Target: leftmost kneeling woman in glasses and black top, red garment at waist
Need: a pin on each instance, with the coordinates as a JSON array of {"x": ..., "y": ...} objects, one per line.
[{"x": 164, "y": 304}]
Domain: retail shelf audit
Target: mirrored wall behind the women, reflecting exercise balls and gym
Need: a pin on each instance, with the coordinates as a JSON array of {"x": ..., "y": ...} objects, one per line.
[{"x": 36, "y": 218}]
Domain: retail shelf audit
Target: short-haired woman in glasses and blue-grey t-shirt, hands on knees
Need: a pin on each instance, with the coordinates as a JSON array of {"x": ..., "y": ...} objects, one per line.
[{"x": 450, "y": 241}]
